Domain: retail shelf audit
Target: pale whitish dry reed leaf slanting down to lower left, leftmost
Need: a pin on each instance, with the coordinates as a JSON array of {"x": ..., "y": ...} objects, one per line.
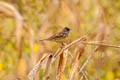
[{"x": 36, "y": 68}]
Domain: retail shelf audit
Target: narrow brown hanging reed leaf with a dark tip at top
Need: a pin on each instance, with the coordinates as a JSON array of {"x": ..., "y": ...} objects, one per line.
[{"x": 48, "y": 65}]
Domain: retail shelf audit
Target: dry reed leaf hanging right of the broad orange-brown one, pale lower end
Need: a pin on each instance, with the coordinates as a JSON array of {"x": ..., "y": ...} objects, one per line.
[{"x": 75, "y": 62}]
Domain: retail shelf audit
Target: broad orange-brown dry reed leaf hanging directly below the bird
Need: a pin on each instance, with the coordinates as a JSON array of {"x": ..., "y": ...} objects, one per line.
[{"x": 62, "y": 63}]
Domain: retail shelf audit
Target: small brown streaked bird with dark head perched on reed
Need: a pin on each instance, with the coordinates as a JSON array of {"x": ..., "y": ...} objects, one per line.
[{"x": 59, "y": 37}]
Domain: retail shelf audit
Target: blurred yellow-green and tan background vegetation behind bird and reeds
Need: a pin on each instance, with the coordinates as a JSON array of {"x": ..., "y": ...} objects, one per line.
[{"x": 31, "y": 20}]
